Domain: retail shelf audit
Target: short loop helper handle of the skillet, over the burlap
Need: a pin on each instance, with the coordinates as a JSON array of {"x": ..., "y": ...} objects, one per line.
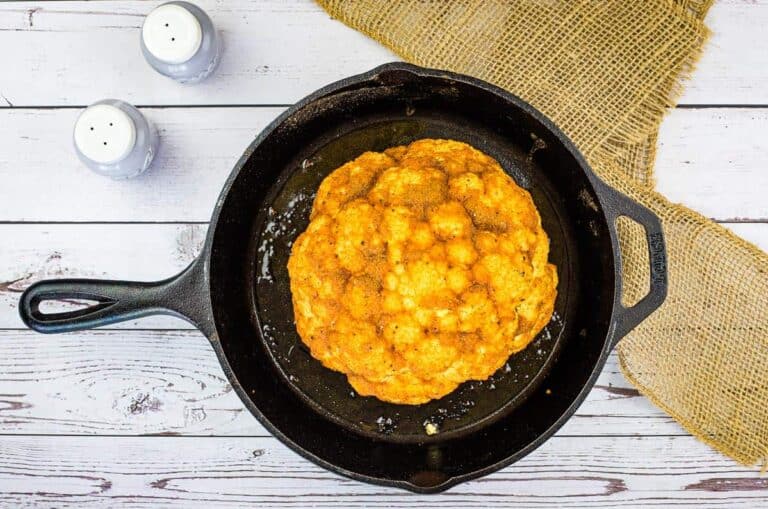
[{"x": 617, "y": 205}]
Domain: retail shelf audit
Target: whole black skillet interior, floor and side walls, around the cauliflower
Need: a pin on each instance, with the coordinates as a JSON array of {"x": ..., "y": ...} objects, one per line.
[{"x": 268, "y": 206}]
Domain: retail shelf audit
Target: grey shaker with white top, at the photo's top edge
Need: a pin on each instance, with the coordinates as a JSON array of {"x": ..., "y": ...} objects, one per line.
[{"x": 179, "y": 40}]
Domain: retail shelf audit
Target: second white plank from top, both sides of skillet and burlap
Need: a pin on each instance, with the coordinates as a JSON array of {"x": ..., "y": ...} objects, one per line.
[{"x": 711, "y": 159}]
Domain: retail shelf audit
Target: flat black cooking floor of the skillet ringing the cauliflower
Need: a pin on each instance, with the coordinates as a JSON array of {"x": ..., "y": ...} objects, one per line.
[{"x": 286, "y": 215}]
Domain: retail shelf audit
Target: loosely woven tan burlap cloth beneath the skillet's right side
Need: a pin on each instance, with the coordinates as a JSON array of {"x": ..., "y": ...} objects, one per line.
[{"x": 606, "y": 71}]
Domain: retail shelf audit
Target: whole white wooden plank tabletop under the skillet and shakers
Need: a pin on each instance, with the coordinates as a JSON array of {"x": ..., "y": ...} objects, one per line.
[{"x": 140, "y": 414}]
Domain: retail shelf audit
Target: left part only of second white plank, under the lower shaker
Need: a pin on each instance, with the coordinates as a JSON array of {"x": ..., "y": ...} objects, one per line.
[{"x": 44, "y": 181}]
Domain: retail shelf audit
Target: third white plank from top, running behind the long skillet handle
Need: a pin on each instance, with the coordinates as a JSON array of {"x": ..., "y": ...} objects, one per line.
[{"x": 32, "y": 252}]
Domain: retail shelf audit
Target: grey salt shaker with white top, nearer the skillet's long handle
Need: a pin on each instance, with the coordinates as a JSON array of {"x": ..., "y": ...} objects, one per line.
[{"x": 113, "y": 138}]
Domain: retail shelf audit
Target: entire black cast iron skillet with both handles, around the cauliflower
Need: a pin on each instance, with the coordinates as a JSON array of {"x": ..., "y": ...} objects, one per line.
[{"x": 237, "y": 291}]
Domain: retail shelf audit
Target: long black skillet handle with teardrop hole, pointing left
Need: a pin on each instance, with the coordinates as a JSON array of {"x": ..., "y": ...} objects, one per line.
[{"x": 115, "y": 301}]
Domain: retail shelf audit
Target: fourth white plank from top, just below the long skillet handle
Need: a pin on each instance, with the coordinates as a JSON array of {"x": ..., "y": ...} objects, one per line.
[{"x": 122, "y": 382}]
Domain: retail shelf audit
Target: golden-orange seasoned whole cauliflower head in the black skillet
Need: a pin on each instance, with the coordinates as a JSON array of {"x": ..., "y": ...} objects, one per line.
[{"x": 422, "y": 267}]
